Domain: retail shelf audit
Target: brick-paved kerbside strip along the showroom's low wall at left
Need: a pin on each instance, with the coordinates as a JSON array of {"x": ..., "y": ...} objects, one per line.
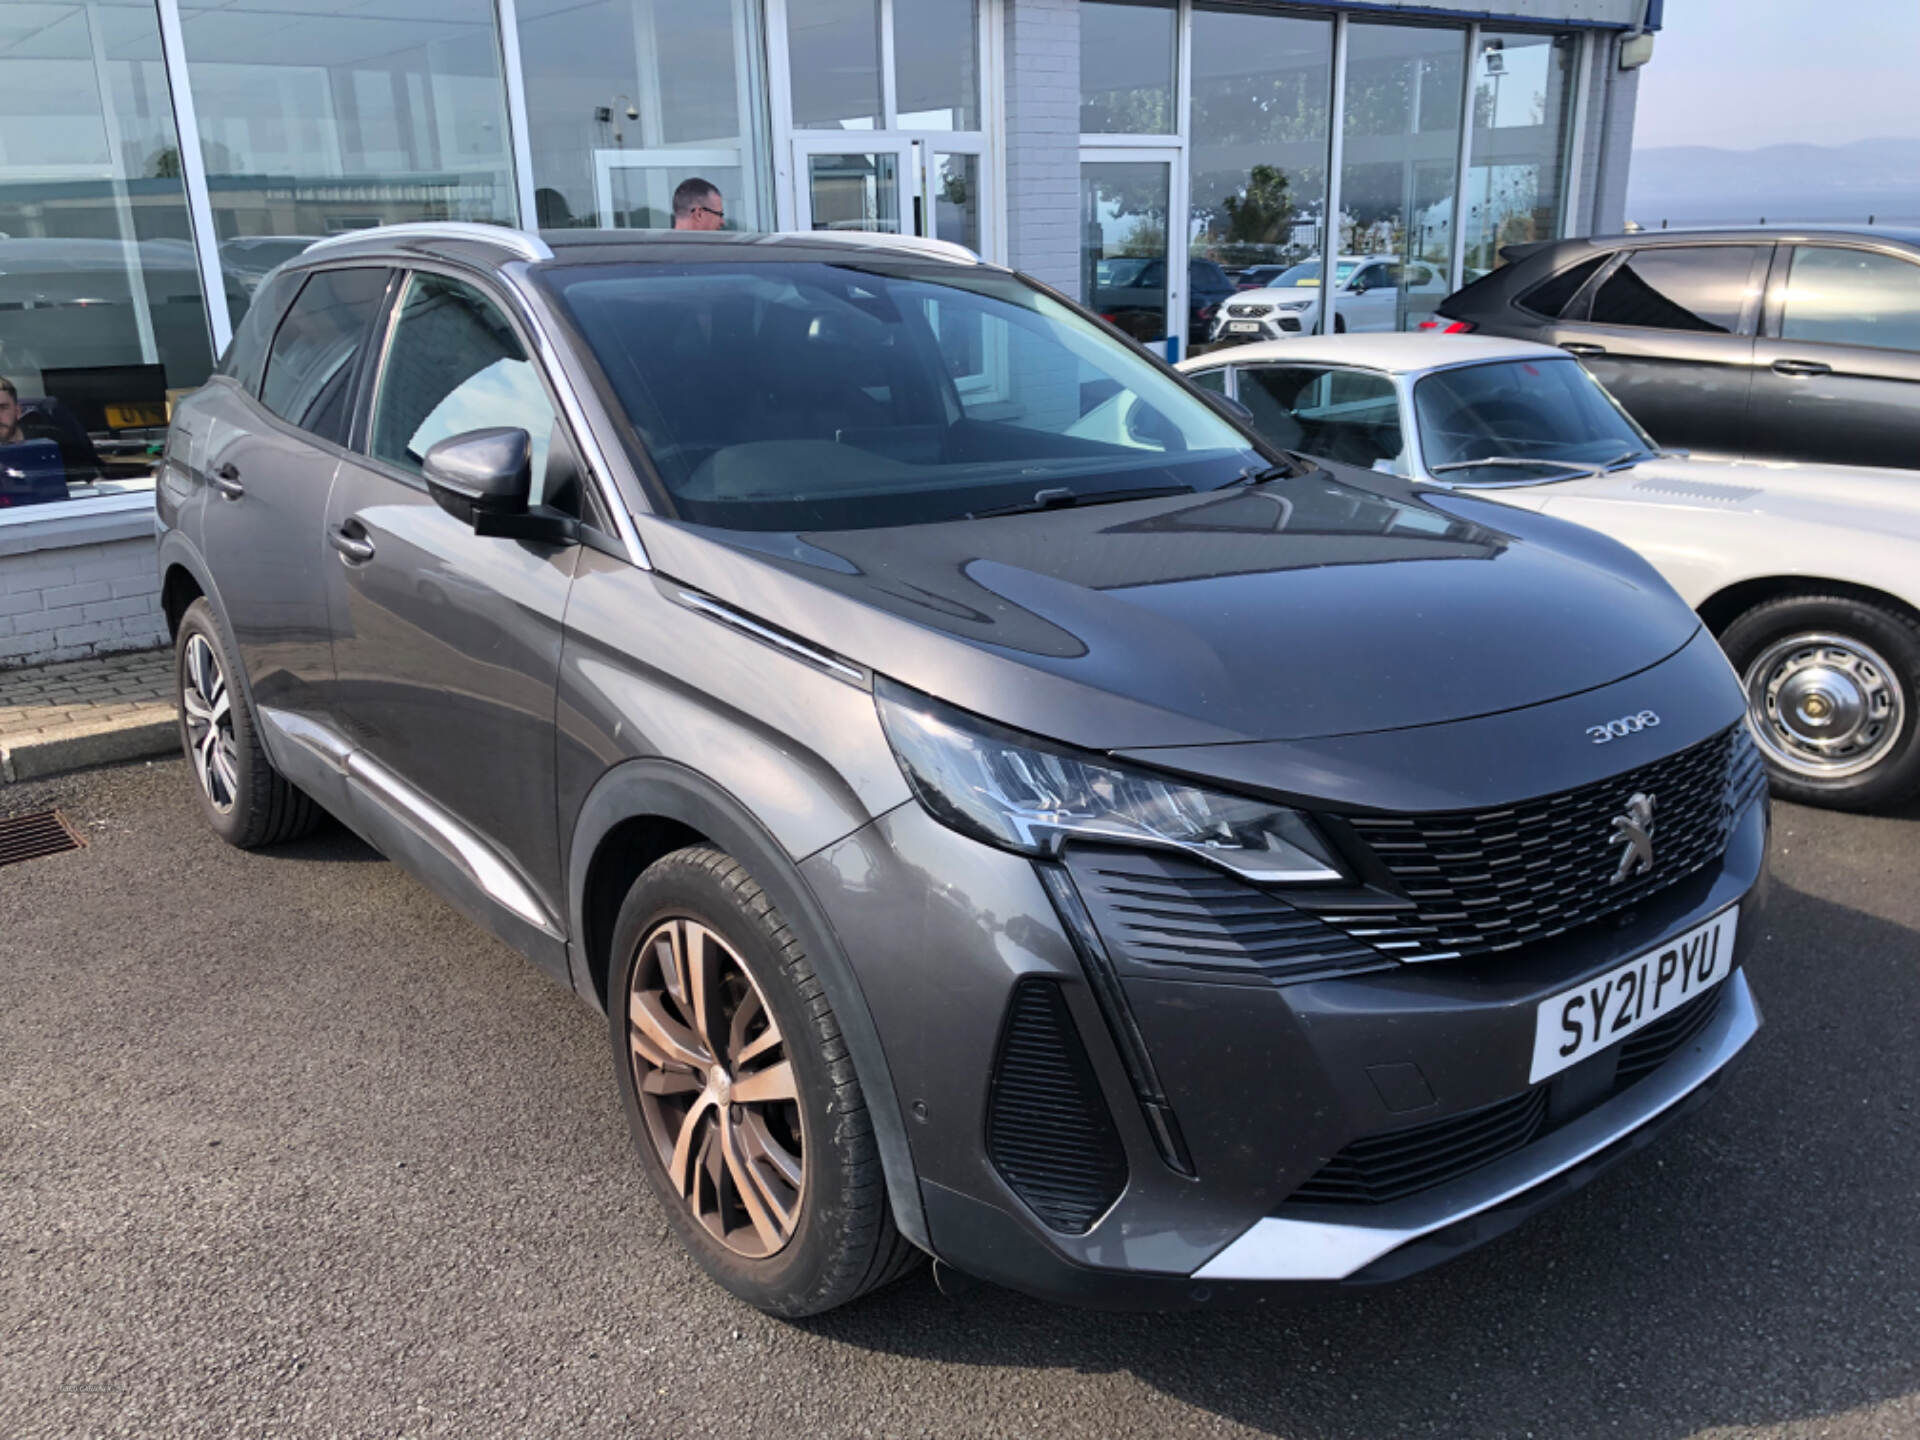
[{"x": 66, "y": 717}]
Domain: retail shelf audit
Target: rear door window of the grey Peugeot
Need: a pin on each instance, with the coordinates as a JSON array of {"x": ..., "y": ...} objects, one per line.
[{"x": 312, "y": 364}]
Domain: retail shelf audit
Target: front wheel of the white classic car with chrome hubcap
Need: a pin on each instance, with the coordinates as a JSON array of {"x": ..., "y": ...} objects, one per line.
[{"x": 1833, "y": 690}]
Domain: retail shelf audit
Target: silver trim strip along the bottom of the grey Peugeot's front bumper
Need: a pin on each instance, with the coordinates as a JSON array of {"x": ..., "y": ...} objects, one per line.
[{"x": 1282, "y": 1249}]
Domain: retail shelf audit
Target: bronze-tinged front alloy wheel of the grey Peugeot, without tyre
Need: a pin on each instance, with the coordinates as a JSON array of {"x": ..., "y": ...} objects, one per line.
[{"x": 717, "y": 1088}]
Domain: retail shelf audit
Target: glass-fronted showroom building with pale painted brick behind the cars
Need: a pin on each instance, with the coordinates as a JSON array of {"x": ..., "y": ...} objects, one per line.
[{"x": 160, "y": 156}]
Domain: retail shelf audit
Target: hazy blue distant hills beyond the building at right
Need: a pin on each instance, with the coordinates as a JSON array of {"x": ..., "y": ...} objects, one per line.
[{"x": 1706, "y": 185}]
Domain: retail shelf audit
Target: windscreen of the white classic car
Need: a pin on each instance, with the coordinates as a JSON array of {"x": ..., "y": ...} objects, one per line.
[{"x": 1524, "y": 420}]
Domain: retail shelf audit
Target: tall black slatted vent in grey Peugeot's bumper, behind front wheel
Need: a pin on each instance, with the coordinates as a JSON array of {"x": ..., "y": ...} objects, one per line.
[{"x": 1049, "y": 1130}]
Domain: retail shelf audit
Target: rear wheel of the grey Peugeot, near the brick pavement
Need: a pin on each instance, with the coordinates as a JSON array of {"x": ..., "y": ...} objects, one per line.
[{"x": 245, "y": 800}]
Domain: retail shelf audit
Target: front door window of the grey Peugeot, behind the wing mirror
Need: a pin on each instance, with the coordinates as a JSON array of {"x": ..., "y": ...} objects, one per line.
[{"x": 456, "y": 366}]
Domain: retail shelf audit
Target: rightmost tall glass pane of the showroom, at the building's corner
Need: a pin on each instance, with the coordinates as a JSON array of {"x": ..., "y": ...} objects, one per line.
[{"x": 1516, "y": 185}]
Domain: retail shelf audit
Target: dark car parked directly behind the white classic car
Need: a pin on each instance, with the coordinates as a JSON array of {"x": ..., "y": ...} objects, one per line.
[{"x": 1762, "y": 343}]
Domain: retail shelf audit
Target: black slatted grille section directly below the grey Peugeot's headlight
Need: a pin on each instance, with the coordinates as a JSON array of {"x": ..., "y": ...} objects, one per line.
[{"x": 1168, "y": 915}]
